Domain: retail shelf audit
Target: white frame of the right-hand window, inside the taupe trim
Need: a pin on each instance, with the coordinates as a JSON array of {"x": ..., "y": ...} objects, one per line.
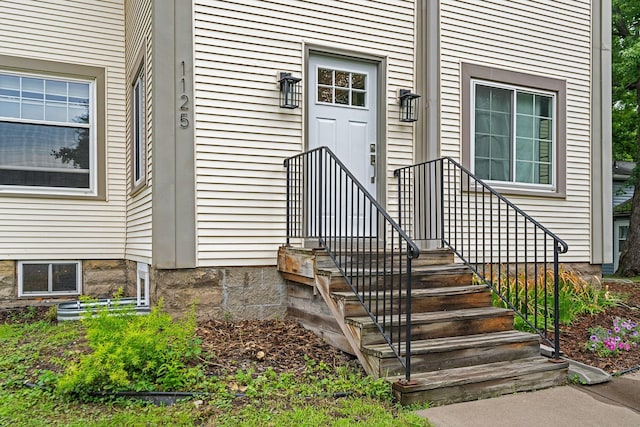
[{"x": 514, "y": 90}]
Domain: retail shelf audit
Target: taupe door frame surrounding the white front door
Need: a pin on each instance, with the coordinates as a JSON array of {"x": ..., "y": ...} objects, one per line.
[{"x": 381, "y": 116}]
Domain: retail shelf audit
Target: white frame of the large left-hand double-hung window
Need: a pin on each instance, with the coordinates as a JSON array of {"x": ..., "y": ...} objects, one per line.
[{"x": 93, "y": 139}]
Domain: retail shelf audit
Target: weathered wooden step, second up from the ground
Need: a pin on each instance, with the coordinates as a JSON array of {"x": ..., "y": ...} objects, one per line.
[{"x": 454, "y": 352}]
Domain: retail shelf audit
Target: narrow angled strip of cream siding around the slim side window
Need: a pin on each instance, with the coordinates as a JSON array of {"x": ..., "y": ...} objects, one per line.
[{"x": 139, "y": 40}]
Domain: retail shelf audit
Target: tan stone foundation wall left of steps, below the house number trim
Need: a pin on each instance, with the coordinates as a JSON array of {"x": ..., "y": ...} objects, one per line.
[{"x": 235, "y": 292}]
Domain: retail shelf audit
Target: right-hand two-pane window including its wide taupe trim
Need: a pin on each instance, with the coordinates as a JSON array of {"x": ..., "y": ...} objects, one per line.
[{"x": 513, "y": 130}]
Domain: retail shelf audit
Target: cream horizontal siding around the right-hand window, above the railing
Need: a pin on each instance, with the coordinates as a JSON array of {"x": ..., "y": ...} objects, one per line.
[{"x": 550, "y": 39}]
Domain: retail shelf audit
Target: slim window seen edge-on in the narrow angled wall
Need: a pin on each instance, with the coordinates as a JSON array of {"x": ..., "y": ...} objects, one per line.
[{"x": 138, "y": 145}]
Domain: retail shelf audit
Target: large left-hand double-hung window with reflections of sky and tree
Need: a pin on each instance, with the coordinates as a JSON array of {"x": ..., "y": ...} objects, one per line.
[{"x": 47, "y": 134}]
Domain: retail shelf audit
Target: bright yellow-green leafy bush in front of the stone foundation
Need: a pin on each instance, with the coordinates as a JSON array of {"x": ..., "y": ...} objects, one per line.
[{"x": 131, "y": 352}]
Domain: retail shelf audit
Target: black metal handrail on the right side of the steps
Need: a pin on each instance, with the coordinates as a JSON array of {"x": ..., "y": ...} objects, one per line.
[{"x": 506, "y": 248}]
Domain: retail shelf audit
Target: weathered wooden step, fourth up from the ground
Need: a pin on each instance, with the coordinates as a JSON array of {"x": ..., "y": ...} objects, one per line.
[{"x": 422, "y": 300}]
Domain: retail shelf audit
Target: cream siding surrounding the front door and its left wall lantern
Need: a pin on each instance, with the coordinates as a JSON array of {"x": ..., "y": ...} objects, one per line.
[{"x": 242, "y": 134}]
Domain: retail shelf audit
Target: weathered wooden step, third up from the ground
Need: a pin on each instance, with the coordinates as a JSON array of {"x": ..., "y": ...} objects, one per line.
[{"x": 437, "y": 324}]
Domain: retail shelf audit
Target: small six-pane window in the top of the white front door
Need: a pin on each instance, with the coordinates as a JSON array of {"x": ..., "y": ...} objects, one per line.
[{"x": 341, "y": 87}]
